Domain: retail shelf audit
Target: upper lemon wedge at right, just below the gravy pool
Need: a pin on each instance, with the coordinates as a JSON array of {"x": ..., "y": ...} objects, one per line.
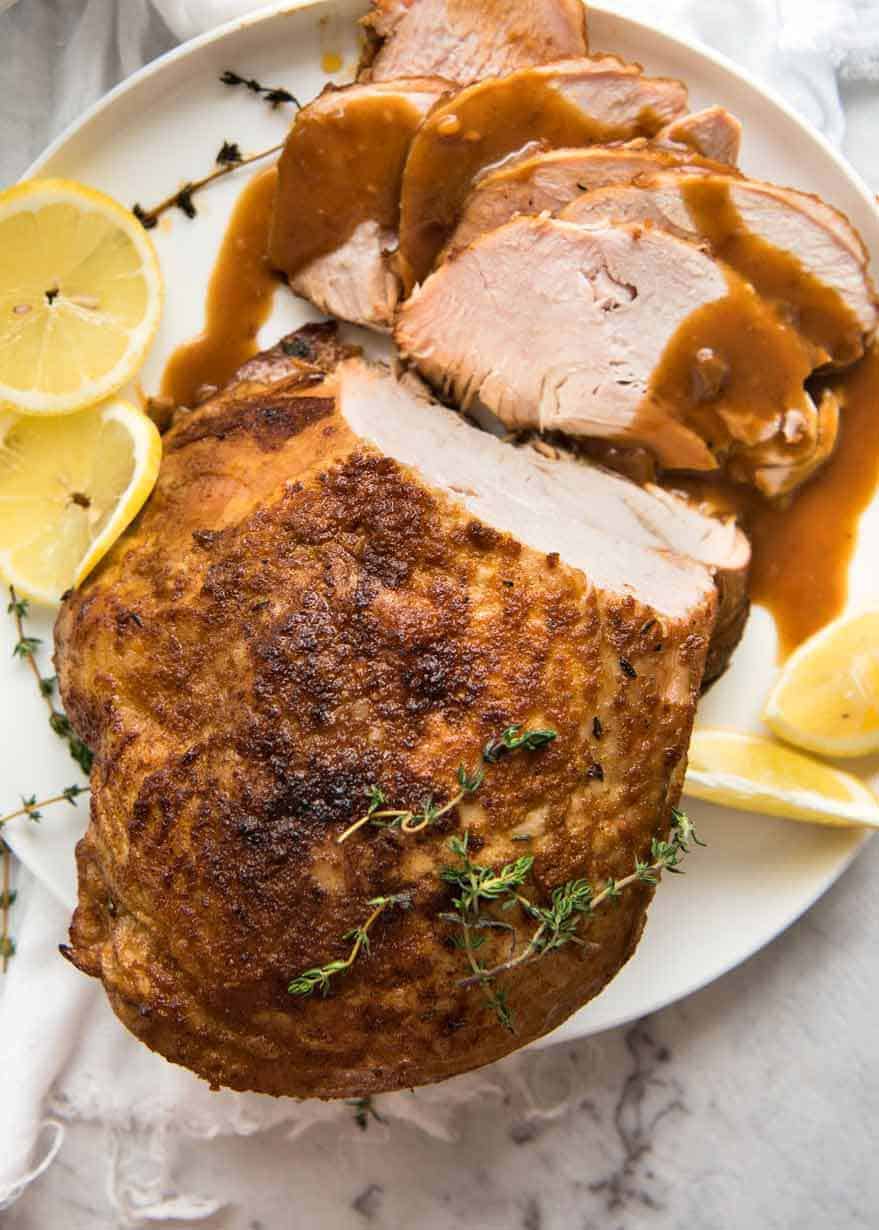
[{"x": 827, "y": 698}]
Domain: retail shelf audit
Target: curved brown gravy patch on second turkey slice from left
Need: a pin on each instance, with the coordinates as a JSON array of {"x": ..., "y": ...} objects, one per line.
[{"x": 474, "y": 131}]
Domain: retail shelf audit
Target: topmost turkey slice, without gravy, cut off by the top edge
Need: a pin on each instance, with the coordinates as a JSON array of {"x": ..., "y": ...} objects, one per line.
[{"x": 468, "y": 40}]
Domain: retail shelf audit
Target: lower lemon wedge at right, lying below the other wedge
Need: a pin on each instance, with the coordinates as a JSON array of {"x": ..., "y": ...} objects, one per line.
[{"x": 759, "y": 776}]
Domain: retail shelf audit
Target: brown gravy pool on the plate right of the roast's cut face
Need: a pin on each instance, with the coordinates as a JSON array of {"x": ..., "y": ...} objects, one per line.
[{"x": 802, "y": 552}]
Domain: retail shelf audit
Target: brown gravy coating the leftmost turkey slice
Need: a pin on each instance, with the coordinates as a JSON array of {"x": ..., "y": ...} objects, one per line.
[{"x": 341, "y": 168}]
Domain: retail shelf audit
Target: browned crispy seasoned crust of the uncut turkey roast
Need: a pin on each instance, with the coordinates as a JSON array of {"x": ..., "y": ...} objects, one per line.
[{"x": 294, "y": 618}]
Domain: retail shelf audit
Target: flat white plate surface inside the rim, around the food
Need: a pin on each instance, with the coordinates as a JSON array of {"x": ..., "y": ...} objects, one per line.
[{"x": 164, "y": 127}]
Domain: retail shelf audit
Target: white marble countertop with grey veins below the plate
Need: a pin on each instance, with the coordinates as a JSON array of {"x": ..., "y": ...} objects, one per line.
[{"x": 749, "y": 1105}]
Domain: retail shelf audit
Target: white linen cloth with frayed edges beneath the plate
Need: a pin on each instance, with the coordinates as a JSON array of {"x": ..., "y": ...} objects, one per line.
[{"x": 65, "y": 1056}]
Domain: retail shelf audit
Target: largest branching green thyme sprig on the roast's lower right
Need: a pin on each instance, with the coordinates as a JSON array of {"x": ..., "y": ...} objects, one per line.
[{"x": 558, "y": 923}]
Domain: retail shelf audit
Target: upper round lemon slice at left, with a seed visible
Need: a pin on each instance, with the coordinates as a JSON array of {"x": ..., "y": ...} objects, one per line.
[{"x": 81, "y": 297}]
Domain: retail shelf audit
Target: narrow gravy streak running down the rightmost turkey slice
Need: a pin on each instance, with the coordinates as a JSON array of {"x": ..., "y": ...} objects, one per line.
[{"x": 814, "y": 308}]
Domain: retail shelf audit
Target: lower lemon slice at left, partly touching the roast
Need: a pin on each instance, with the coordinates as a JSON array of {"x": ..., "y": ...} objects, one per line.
[{"x": 69, "y": 486}]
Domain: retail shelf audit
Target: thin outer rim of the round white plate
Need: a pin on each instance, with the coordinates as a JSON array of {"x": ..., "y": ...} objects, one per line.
[{"x": 715, "y": 60}]
